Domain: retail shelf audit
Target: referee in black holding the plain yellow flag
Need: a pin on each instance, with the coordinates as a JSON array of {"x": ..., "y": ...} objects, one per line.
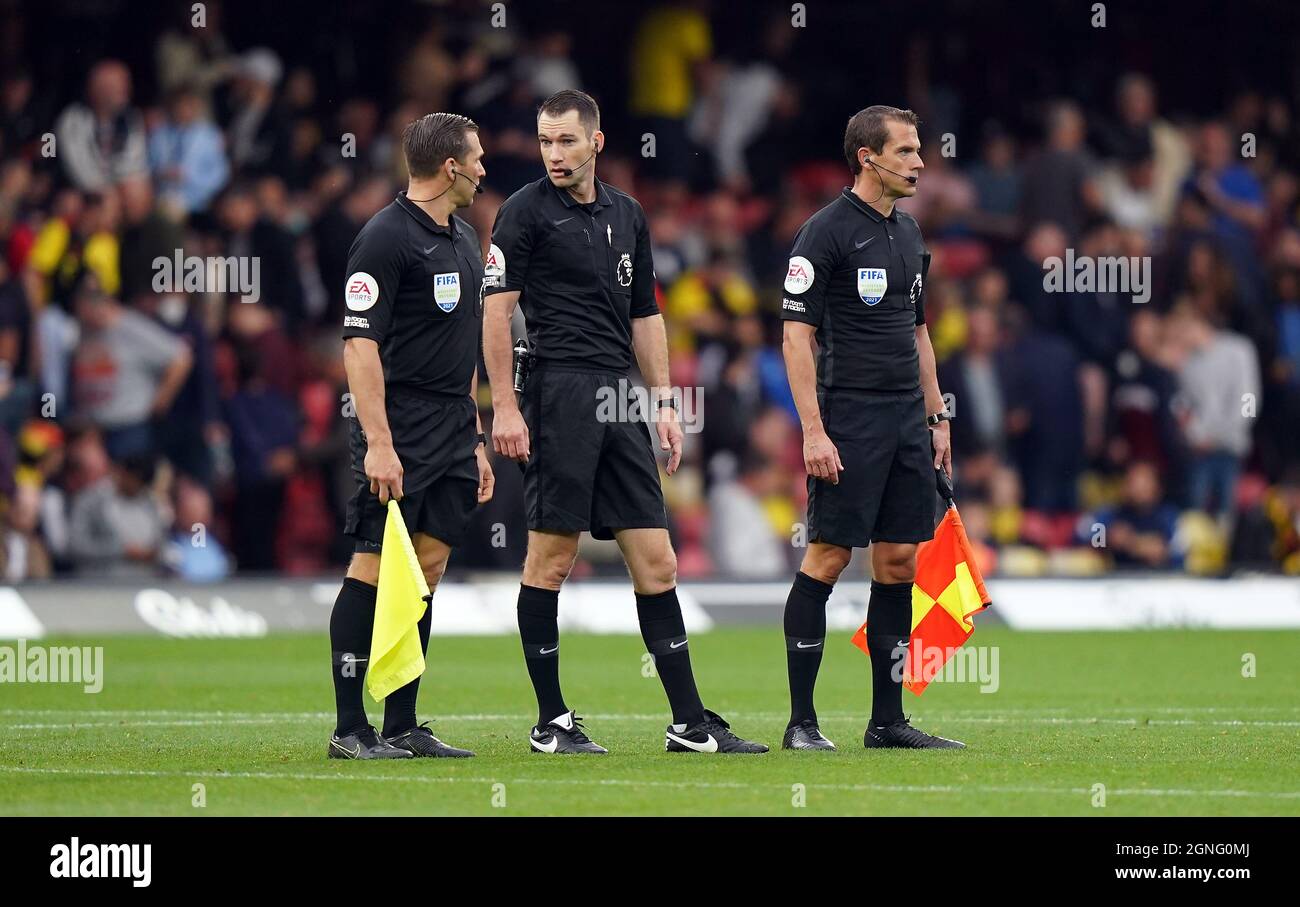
[{"x": 411, "y": 351}]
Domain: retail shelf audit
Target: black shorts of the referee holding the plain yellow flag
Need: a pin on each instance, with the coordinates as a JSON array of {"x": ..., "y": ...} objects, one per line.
[{"x": 435, "y": 439}]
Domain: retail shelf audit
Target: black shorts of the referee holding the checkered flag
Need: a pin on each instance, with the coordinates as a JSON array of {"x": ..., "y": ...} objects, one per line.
[{"x": 887, "y": 488}]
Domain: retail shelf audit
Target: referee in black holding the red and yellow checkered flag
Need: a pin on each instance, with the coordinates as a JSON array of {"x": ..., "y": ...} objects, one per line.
[{"x": 874, "y": 422}]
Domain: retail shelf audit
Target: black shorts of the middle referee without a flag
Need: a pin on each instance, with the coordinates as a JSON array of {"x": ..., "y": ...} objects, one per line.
[{"x": 591, "y": 467}]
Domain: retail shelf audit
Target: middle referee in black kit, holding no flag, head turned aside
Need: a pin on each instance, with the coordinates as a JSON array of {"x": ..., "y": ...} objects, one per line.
[{"x": 575, "y": 254}]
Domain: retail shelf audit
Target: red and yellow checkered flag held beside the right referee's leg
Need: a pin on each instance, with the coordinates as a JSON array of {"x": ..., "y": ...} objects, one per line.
[{"x": 947, "y": 593}]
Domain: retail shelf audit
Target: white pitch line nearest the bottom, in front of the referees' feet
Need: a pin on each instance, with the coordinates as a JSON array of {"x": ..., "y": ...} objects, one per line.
[{"x": 638, "y": 783}]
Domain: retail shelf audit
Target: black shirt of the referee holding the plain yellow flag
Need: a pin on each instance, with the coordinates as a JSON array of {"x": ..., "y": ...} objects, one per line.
[{"x": 415, "y": 289}]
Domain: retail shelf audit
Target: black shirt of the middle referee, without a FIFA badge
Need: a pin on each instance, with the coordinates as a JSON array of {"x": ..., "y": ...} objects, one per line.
[{"x": 584, "y": 272}]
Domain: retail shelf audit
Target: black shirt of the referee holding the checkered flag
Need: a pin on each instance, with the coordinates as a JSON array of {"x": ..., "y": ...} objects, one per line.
[{"x": 860, "y": 279}]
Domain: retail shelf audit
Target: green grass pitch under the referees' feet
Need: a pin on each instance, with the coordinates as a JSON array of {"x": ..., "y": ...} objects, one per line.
[{"x": 1164, "y": 719}]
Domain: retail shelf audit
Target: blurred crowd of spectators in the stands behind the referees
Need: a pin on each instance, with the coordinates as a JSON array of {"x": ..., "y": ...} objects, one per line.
[{"x": 151, "y": 427}]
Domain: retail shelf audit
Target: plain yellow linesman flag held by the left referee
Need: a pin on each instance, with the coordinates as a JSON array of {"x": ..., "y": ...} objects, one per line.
[{"x": 397, "y": 657}]
